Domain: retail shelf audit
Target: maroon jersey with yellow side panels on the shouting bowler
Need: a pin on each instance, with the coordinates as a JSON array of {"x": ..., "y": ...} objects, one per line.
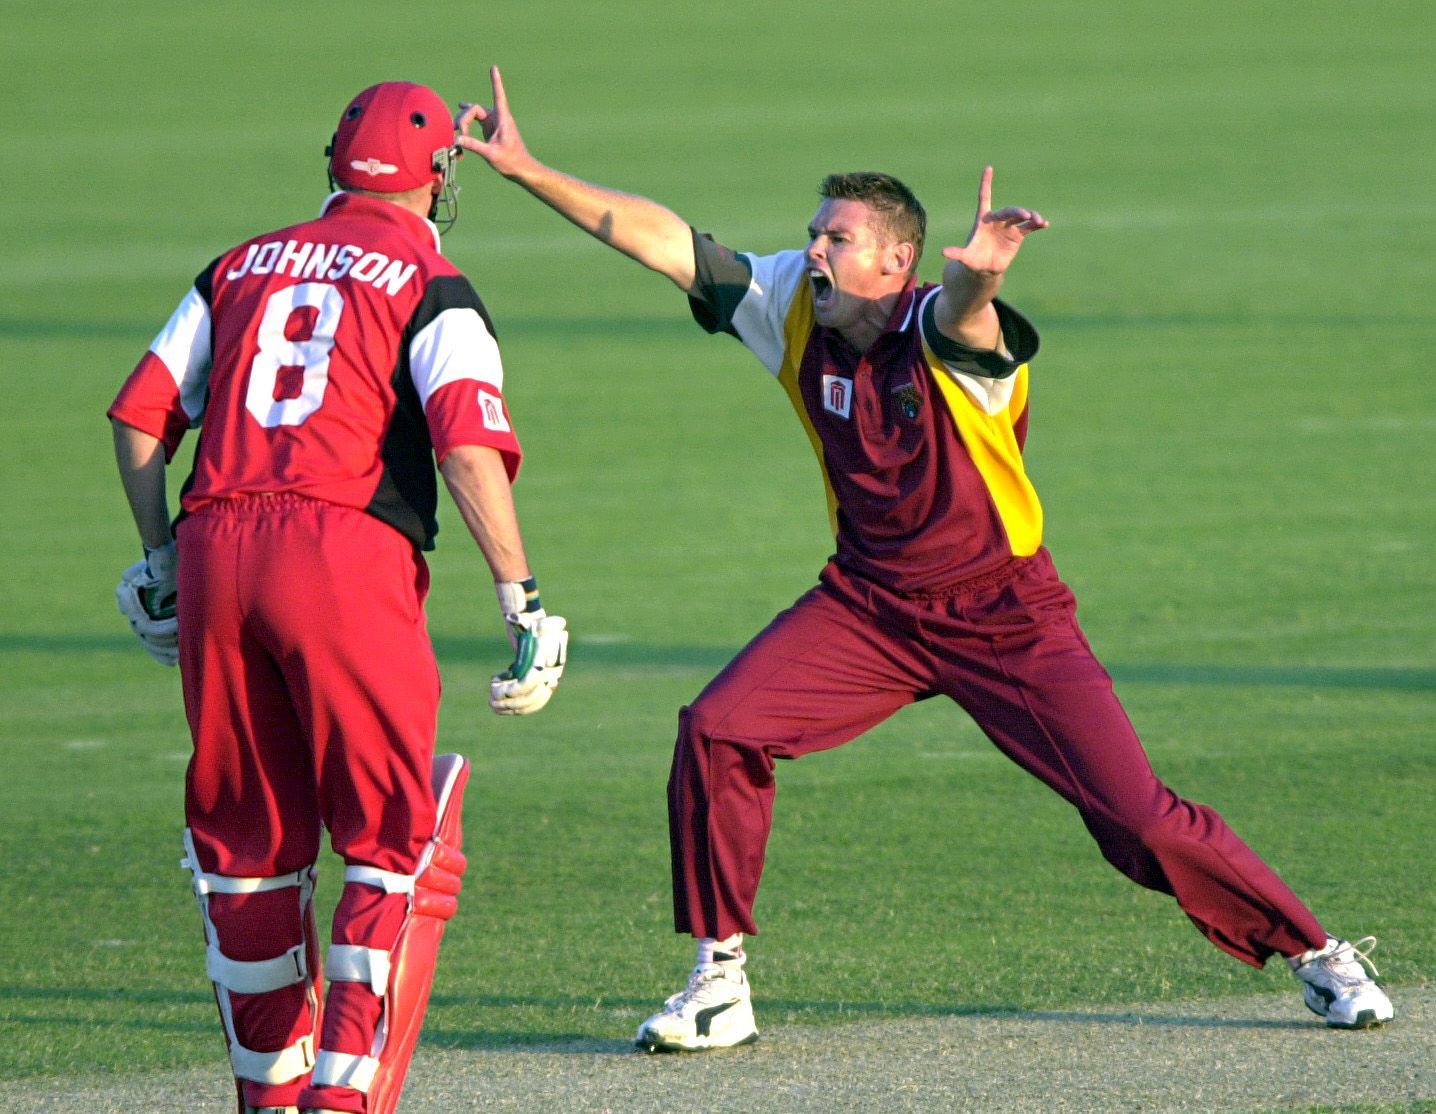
[{"x": 920, "y": 439}]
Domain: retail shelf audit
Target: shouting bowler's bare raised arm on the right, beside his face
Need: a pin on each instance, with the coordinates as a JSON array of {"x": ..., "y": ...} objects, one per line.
[{"x": 974, "y": 273}]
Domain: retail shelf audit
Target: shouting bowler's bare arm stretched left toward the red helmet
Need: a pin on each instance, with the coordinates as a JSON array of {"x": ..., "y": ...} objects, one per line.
[{"x": 638, "y": 228}]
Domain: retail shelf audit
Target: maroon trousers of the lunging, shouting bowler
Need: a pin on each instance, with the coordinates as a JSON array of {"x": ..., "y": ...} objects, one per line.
[{"x": 1009, "y": 651}]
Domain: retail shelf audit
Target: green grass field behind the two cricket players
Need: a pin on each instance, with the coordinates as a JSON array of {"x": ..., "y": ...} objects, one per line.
[{"x": 1233, "y": 434}]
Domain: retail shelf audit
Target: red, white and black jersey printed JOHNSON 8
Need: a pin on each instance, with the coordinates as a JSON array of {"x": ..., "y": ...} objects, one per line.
[{"x": 332, "y": 360}]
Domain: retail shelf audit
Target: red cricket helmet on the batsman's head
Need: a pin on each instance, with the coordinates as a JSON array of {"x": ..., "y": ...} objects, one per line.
[{"x": 393, "y": 137}]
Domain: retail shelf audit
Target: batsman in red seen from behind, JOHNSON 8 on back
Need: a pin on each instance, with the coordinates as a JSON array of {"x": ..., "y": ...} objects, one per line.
[{"x": 328, "y": 367}]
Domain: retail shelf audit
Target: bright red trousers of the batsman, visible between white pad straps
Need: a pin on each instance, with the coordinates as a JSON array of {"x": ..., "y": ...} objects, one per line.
[{"x": 312, "y": 697}]
